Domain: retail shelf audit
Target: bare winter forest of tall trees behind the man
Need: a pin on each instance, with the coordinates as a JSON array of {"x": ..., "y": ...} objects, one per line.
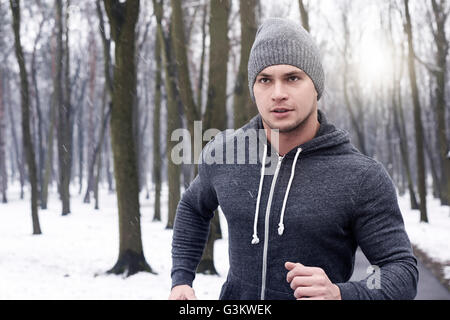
[{"x": 91, "y": 92}]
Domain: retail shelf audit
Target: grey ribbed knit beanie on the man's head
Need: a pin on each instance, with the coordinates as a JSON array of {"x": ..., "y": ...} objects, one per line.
[{"x": 281, "y": 41}]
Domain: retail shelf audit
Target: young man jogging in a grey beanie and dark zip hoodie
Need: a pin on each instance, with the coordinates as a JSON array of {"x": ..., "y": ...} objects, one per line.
[{"x": 293, "y": 232}]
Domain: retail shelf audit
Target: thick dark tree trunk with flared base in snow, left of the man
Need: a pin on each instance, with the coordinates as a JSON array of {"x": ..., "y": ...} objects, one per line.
[{"x": 123, "y": 16}]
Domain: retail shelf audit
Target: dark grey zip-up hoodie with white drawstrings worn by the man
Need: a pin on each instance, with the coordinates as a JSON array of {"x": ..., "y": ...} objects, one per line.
[{"x": 322, "y": 201}]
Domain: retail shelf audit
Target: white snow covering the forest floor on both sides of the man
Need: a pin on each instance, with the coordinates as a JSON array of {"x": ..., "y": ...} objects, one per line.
[{"x": 69, "y": 259}]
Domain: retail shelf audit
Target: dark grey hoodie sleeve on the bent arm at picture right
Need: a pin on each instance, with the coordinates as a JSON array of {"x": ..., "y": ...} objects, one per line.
[{"x": 379, "y": 230}]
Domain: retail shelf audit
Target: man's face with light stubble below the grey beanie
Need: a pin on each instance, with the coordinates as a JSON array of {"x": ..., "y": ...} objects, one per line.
[{"x": 285, "y": 97}]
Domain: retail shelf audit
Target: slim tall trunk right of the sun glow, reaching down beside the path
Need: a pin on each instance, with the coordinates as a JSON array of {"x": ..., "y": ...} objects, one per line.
[{"x": 417, "y": 118}]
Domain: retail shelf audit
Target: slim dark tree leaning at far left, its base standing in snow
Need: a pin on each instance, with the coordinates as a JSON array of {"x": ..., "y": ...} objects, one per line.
[{"x": 25, "y": 107}]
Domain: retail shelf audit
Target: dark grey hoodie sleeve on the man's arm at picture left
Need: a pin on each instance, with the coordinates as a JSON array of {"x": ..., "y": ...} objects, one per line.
[{"x": 191, "y": 226}]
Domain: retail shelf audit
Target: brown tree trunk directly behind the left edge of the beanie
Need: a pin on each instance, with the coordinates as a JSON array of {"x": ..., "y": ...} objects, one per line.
[{"x": 243, "y": 107}]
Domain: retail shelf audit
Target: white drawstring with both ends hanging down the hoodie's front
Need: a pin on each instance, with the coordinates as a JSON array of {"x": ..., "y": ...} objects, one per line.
[{"x": 255, "y": 239}]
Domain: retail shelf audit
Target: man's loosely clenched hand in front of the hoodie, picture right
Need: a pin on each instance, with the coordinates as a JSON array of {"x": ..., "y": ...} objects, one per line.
[{"x": 310, "y": 283}]
